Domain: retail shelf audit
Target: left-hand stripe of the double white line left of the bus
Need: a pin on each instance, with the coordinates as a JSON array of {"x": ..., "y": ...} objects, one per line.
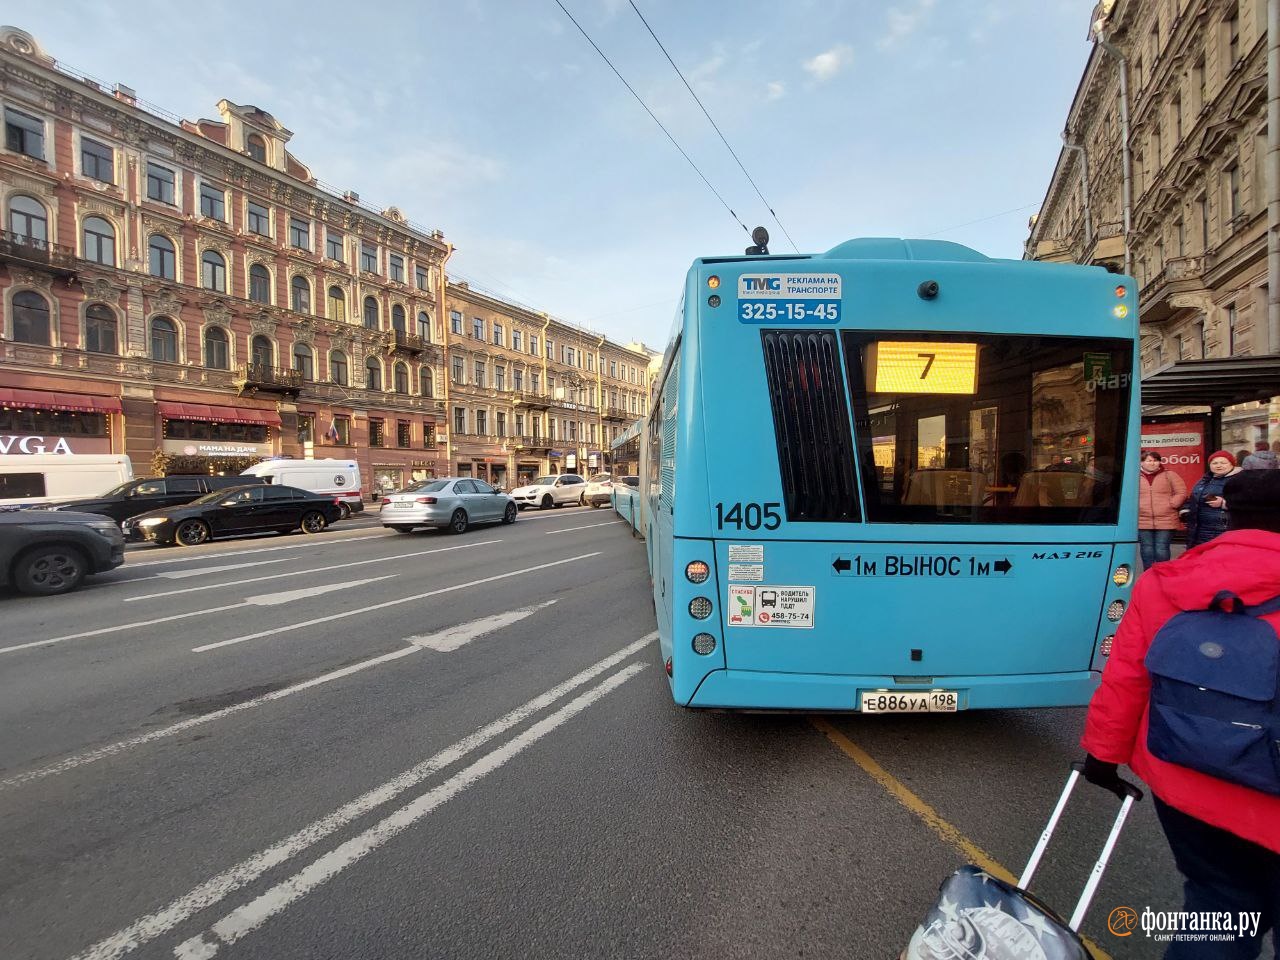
[{"x": 218, "y": 889}]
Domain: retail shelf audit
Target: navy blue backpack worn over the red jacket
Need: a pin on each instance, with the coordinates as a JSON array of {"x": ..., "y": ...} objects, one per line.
[{"x": 1215, "y": 693}]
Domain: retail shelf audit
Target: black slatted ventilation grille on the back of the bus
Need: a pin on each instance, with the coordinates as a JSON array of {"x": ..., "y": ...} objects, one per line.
[{"x": 811, "y": 423}]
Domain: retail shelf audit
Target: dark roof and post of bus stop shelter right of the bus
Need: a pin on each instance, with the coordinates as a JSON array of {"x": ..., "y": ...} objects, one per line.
[{"x": 1214, "y": 385}]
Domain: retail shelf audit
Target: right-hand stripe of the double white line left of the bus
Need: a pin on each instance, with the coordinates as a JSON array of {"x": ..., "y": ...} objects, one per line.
[{"x": 248, "y": 918}]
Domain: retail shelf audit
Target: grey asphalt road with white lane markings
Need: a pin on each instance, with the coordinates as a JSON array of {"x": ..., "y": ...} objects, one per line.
[{"x": 369, "y": 744}]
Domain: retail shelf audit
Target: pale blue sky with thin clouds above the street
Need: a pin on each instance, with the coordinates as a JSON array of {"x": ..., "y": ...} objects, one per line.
[{"x": 496, "y": 122}]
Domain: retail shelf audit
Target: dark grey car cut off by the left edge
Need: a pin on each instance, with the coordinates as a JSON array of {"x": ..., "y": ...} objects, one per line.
[{"x": 51, "y": 554}]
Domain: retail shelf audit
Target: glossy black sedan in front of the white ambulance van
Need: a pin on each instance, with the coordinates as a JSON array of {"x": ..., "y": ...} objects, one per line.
[{"x": 239, "y": 510}]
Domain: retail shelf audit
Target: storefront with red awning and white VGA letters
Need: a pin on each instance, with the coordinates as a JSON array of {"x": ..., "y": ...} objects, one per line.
[{"x": 48, "y": 422}]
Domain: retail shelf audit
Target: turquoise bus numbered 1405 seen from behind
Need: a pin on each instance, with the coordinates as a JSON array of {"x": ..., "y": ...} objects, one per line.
[{"x": 893, "y": 478}]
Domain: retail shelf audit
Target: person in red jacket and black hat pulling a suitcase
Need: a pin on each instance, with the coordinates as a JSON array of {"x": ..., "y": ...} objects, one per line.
[{"x": 1226, "y": 838}]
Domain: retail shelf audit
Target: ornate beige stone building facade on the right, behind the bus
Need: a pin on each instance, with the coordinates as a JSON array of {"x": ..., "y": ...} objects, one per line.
[{"x": 1197, "y": 83}]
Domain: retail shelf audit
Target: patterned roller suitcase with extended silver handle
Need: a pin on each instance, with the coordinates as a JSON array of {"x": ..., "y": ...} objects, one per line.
[{"x": 980, "y": 917}]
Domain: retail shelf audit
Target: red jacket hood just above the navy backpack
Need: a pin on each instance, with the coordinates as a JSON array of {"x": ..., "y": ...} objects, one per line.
[{"x": 1246, "y": 563}]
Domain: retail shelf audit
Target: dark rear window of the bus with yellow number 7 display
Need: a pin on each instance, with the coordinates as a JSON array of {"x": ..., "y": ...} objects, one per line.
[{"x": 990, "y": 429}]
